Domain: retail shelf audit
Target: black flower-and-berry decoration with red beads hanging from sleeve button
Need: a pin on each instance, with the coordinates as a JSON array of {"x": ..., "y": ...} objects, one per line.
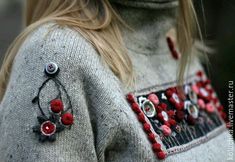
[{"x": 59, "y": 117}]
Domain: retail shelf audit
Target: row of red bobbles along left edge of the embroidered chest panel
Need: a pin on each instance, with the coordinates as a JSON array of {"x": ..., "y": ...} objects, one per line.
[{"x": 157, "y": 148}]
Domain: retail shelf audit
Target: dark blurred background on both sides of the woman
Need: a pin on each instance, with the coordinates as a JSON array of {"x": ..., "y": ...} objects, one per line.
[{"x": 217, "y": 20}]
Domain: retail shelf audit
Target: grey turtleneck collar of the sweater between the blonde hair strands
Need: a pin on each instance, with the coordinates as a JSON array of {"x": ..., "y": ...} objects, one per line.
[{"x": 150, "y": 24}]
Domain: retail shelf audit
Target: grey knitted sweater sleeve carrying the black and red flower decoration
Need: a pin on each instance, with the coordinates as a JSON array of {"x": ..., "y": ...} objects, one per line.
[{"x": 45, "y": 94}]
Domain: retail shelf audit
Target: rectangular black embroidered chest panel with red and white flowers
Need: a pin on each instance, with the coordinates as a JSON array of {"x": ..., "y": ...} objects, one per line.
[{"x": 180, "y": 120}]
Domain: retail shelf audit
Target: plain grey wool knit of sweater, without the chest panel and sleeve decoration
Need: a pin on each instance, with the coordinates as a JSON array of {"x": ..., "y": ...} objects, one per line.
[{"x": 105, "y": 127}]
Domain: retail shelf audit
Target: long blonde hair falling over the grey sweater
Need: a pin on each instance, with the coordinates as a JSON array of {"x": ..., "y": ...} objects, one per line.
[{"x": 100, "y": 25}]
